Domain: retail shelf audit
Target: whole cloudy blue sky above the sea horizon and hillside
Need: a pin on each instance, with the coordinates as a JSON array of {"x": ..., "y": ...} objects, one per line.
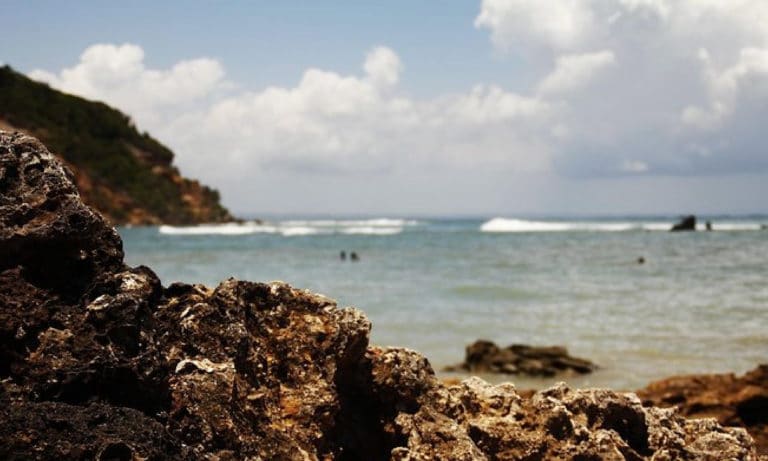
[{"x": 492, "y": 107}]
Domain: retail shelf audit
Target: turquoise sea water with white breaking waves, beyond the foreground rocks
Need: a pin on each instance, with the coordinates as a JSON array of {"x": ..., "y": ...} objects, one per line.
[{"x": 698, "y": 304}]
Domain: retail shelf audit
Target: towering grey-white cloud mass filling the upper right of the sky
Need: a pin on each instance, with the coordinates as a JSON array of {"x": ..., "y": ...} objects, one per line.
[{"x": 672, "y": 76}]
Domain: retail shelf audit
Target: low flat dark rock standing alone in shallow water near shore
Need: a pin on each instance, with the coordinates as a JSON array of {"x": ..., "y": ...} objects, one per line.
[{"x": 486, "y": 357}]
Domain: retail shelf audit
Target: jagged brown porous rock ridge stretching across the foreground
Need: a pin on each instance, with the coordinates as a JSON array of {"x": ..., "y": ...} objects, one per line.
[{"x": 99, "y": 361}]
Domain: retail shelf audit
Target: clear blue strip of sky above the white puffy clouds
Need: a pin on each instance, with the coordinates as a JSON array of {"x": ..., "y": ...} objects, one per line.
[{"x": 265, "y": 42}]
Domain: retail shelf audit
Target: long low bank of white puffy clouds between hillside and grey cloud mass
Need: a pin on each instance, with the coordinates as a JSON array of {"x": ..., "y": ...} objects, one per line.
[{"x": 326, "y": 123}]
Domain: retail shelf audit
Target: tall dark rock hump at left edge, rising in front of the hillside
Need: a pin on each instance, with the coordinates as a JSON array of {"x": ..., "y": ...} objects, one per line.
[{"x": 44, "y": 226}]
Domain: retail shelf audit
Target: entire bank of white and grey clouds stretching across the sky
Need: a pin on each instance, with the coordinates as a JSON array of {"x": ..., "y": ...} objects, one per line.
[{"x": 622, "y": 87}]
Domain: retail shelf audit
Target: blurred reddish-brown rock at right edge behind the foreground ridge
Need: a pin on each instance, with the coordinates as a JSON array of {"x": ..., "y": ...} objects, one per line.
[{"x": 740, "y": 401}]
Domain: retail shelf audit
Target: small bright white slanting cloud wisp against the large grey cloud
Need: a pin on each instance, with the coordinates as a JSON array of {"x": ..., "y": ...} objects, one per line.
[{"x": 574, "y": 71}]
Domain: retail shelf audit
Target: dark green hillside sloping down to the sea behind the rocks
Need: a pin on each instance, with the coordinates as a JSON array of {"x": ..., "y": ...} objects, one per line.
[{"x": 128, "y": 176}]
